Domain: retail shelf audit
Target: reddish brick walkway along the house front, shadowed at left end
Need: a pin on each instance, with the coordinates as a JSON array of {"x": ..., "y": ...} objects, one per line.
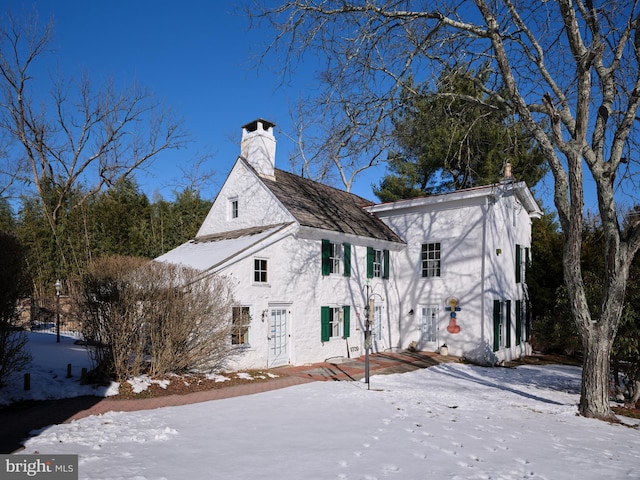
[{"x": 18, "y": 421}]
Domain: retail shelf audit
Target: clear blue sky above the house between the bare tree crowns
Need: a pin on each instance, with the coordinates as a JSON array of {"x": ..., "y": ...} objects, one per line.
[{"x": 197, "y": 56}]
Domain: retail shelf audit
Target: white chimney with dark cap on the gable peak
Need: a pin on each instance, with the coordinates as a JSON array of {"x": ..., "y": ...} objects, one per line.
[{"x": 258, "y": 147}]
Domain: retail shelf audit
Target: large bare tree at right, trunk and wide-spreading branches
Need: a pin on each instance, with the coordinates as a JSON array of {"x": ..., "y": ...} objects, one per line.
[{"x": 569, "y": 70}]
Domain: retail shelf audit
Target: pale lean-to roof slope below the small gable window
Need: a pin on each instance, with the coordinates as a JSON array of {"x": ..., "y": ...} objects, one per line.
[{"x": 205, "y": 253}]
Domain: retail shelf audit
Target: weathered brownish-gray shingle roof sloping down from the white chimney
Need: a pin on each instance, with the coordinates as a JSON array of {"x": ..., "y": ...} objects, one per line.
[{"x": 321, "y": 206}]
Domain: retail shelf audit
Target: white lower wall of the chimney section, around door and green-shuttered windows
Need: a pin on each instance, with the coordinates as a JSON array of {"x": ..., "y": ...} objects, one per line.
[{"x": 296, "y": 280}]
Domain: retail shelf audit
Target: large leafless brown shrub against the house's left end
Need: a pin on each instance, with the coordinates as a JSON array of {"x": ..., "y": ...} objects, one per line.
[{"x": 156, "y": 318}]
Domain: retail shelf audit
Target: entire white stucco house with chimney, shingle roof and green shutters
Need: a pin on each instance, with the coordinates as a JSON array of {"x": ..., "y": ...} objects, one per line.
[{"x": 308, "y": 259}]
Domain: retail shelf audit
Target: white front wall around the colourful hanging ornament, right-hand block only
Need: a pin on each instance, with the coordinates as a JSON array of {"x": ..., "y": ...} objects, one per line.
[{"x": 459, "y": 230}]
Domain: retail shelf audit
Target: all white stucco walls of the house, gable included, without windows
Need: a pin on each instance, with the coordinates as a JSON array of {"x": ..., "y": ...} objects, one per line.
[{"x": 477, "y": 234}]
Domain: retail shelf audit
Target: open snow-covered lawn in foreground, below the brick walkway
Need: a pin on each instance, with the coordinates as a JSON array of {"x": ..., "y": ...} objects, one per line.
[{"x": 447, "y": 422}]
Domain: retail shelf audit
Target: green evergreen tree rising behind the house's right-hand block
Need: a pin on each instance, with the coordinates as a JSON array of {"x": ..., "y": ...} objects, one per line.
[{"x": 455, "y": 138}]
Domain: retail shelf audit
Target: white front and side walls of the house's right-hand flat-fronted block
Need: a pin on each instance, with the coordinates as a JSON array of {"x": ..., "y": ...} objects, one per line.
[{"x": 477, "y": 235}]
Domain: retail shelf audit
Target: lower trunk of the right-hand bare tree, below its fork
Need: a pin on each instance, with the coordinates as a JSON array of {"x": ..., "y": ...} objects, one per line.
[{"x": 594, "y": 398}]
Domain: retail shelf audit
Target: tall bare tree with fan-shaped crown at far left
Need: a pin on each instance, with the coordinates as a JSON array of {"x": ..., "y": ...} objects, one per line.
[{"x": 77, "y": 134}]
